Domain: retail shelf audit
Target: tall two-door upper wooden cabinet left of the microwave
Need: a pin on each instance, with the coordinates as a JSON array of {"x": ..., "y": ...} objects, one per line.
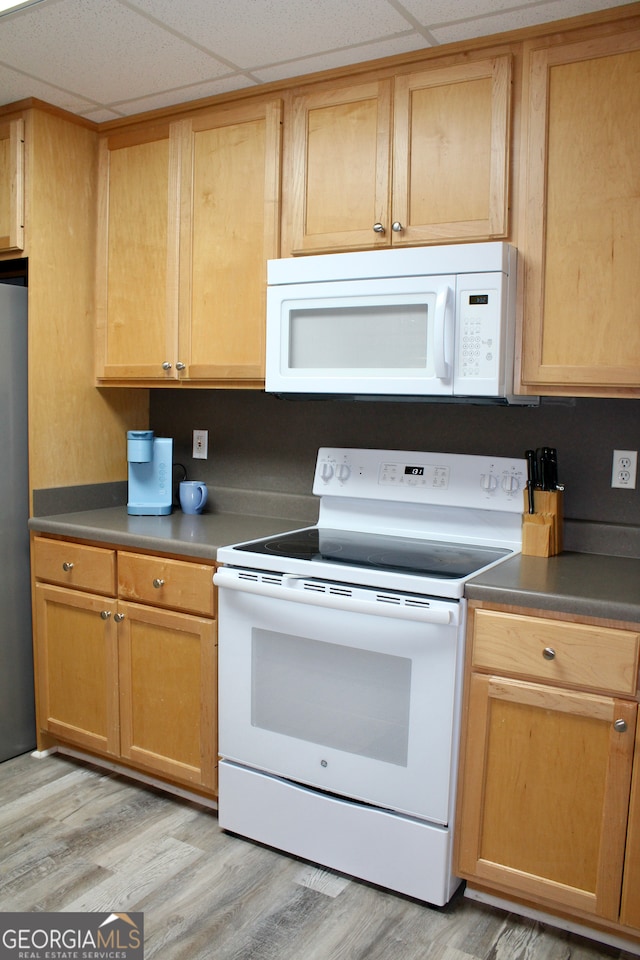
[{"x": 189, "y": 213}]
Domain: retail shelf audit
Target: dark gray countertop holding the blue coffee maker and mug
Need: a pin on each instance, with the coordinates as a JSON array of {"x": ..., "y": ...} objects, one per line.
[{"x": 176, "y": 533}]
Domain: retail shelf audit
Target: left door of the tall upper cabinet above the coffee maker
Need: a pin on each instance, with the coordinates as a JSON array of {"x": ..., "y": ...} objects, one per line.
[{"x": 136, "y": 307}]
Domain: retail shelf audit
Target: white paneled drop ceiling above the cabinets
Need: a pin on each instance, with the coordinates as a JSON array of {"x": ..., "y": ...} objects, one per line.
[{"x": 104, "y": 59}]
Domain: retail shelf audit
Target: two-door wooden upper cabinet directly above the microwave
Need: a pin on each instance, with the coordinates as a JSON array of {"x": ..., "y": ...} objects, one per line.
[{"x": 436, "y": 172}]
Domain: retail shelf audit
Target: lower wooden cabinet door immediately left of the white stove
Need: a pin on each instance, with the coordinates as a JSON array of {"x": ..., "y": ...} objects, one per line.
[{"x": 168, "y": 682}]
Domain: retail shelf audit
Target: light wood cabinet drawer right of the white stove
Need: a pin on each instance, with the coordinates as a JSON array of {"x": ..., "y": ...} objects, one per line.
[{"x": 557, "y": 651}]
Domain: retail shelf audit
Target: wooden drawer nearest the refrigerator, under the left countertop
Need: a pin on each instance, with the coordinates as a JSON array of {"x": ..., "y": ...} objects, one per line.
[{"x": 75, "y": 565}]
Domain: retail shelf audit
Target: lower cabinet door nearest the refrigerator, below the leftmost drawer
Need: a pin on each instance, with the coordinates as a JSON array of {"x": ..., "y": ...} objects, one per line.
[{"x": 77, "y": 667}]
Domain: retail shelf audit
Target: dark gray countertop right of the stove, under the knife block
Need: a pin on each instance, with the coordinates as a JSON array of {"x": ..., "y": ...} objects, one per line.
[{"x": 587, "y": 584}]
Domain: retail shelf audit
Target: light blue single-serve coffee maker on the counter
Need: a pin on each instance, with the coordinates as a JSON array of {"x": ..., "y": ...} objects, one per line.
[{"x": 150, "y": 478}]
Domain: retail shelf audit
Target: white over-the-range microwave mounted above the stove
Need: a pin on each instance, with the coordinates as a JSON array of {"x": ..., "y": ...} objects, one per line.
[{"x": 418, "y": 323}]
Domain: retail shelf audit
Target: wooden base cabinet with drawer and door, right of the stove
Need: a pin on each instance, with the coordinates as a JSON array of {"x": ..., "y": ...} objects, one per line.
[{"x": 547, "y": 758}]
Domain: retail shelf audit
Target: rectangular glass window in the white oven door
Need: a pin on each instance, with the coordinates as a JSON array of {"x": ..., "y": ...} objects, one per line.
[{"x": 352, "y": 700}]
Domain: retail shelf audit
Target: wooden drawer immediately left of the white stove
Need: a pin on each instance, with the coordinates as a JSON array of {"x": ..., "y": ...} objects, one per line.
[{"x": 178, "y": 584}]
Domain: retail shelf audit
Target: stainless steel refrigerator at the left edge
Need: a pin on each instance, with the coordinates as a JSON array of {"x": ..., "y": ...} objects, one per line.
[{"x": 17, "y": 721}]
